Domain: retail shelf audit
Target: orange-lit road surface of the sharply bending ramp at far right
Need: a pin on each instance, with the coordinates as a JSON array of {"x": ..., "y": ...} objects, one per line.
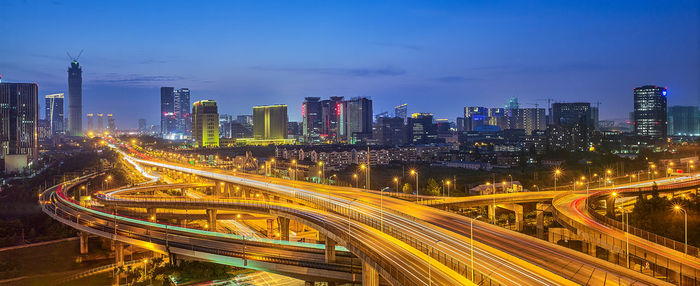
[{"x": 573, "y": 206}]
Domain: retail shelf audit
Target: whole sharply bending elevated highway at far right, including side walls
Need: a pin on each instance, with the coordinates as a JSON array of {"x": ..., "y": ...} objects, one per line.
[{"x": 660, "y": 257}]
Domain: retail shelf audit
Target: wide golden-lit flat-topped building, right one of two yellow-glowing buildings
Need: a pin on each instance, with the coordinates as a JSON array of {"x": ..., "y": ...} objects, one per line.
[{"x": 270, "y": 122}]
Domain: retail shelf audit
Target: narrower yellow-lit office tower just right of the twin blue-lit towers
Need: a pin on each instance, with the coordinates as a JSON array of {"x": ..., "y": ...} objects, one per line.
[{"x": 205, "y": 123}]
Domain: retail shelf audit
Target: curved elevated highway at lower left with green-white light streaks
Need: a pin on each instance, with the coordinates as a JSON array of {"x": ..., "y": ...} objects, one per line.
[{"x": 301, "y": 260}]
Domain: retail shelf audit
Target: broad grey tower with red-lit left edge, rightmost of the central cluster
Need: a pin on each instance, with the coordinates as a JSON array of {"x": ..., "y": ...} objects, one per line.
[{"x": 357, "y": 119}]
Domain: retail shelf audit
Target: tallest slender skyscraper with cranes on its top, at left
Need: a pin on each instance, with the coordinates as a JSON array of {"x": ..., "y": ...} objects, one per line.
[{"x": 75, "y": 99}]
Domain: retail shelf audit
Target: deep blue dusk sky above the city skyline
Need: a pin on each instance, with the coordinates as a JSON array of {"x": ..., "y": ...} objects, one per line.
[{"x": 437, "y": 56}]
